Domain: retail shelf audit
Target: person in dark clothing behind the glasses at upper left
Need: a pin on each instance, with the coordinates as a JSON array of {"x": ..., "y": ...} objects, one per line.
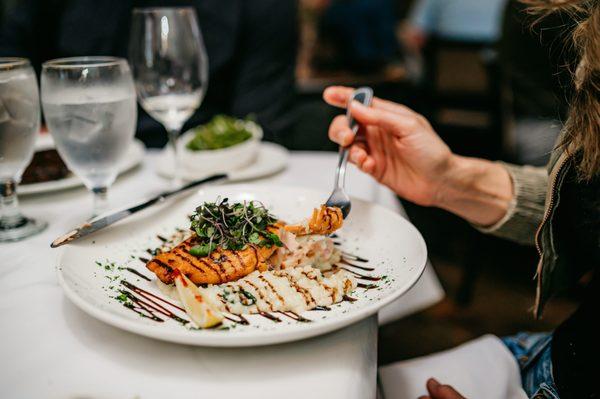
[{"x": 251, "y": 46}]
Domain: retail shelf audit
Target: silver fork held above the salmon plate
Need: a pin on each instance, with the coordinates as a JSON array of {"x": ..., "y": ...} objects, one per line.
[{"x": 339, "y": 198}]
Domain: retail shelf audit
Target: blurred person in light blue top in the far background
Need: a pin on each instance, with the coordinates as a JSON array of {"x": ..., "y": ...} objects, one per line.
[{"x": 476, "y": 21}]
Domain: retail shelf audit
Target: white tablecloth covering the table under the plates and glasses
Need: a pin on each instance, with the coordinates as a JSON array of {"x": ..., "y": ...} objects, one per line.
[{"x": 51, "y": 349}]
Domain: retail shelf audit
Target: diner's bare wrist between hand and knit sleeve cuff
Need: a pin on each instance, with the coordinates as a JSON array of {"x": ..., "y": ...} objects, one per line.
[{"x": 477, "y": 190}]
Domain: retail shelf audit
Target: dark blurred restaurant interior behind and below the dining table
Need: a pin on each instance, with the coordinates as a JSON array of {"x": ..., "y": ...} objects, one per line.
[{"x": 492, "y": 86}]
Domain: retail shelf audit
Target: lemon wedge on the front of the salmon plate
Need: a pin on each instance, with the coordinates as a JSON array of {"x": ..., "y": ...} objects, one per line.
[{"x": 196, "y": 306}]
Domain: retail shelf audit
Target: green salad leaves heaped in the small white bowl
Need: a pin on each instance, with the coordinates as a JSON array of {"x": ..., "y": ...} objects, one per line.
[{"x": 221, "y": 132}]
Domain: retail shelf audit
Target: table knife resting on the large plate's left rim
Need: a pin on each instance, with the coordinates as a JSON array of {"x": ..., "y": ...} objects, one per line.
[{"x": 104, "y": 221}]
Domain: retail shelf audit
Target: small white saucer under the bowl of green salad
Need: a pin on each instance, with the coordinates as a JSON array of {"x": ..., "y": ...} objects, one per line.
[{"x": 271, "y": 158}]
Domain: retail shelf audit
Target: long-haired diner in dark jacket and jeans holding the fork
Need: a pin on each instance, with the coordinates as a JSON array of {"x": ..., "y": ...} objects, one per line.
[{"x": 557, "y": 209}]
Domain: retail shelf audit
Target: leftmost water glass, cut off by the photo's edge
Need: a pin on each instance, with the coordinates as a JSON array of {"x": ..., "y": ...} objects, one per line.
[{"x": 19, "y": 124}]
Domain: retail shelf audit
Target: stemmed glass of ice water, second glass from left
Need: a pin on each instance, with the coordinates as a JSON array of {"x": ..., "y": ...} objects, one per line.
[{"x": 90, "y": 109}]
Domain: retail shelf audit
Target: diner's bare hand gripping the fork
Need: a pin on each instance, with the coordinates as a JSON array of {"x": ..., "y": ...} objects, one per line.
[{"x": 395, "y": 145}]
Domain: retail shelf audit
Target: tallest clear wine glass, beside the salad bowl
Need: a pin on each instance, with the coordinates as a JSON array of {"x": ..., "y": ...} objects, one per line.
[{"x": 170, "y": 68}]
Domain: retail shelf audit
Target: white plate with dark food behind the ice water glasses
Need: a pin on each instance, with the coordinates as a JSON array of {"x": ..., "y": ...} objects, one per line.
[{"x": 134, "y": 156}]
